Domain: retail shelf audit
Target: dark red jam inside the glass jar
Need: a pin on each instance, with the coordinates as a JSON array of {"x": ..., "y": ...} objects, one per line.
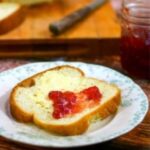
[{"x": 135, "y": 53}]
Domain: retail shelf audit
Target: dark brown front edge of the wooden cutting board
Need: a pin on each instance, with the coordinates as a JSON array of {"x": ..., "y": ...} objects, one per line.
[{"x": 53, "y": 50}]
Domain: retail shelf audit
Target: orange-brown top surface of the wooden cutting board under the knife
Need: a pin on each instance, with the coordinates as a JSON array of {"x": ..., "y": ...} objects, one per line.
[{"x": 102, "y": 23}]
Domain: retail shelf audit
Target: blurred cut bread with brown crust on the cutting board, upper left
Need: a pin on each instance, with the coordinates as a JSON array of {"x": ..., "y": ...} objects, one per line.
[{"x": 11, "y": 15}]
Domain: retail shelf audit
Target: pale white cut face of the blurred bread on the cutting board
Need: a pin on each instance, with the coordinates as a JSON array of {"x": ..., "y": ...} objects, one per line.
[{"x": 6, "y": 9}]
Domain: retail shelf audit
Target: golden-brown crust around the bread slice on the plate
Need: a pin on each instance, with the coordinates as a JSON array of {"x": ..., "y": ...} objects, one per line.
[{"x": 75, "y": 128}]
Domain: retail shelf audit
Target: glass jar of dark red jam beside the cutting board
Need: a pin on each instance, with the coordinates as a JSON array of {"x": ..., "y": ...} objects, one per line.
[{"x": 135, "y": 38}]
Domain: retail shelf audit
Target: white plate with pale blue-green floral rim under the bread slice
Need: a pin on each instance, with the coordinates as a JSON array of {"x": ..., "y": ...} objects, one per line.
[{"x": 131, "y": 112}]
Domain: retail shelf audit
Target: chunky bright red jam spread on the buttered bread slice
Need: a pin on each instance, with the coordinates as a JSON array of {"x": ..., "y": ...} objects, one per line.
[{"x": 68, "y": 103}]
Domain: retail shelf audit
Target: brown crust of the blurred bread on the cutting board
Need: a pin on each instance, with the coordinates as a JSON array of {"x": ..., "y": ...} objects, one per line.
[{"x": 13, "y": 20}]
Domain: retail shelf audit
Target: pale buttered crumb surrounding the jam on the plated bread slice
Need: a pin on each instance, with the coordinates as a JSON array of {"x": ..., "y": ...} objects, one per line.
[{"x": 34, "y": 99}]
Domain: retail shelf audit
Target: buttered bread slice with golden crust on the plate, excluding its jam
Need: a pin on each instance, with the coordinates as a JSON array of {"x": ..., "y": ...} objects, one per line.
[{"x": 29, "y": 101}]
